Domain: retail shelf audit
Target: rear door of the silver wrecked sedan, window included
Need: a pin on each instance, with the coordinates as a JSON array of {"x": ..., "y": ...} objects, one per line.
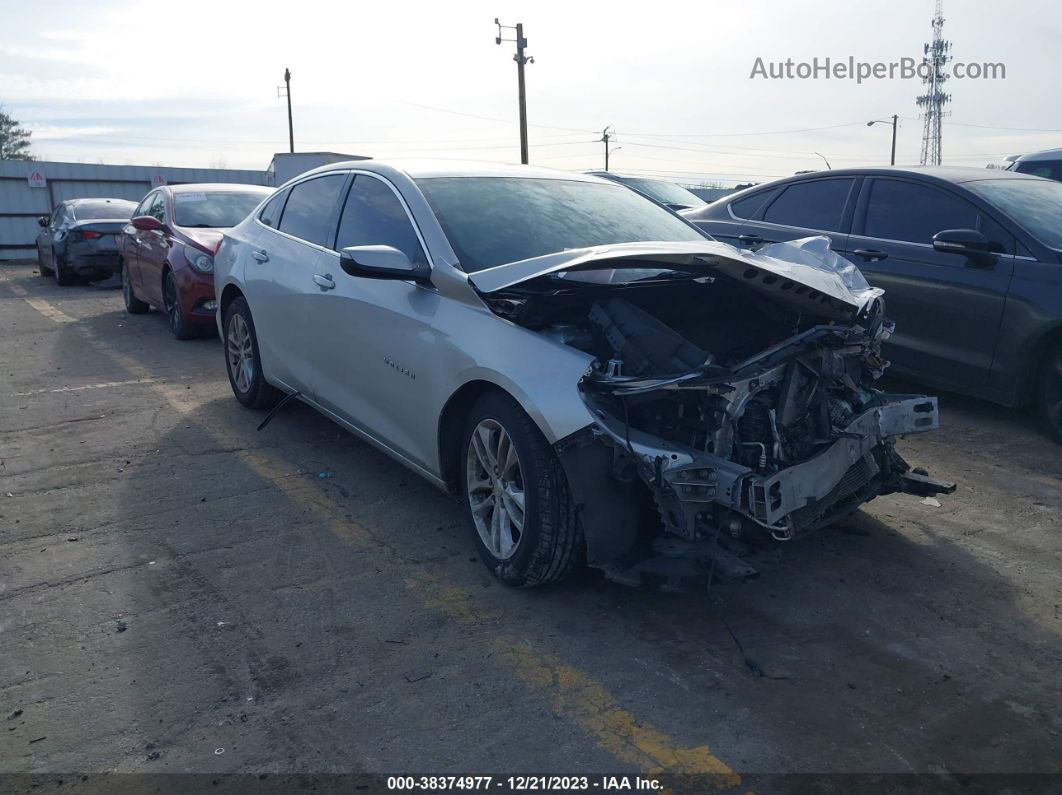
[{"x": 289, "y": 240}]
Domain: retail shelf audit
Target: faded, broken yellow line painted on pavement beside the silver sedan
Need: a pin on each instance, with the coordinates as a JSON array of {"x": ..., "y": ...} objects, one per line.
[{"x": 572, "y": 694}]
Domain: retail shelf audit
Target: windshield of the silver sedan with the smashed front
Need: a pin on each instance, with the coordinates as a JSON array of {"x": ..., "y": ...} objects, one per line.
[{"x": 491, "y": 221}]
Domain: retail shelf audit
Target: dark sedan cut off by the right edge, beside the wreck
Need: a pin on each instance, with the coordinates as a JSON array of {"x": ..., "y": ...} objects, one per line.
[{"x": 971, "y": 261}]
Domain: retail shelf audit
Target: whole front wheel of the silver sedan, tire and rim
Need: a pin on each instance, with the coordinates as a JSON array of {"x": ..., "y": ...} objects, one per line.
[{"x": 517, "y": 497}]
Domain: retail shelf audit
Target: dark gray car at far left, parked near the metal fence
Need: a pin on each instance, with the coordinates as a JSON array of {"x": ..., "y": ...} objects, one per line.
[{"x": 80, "y": 238}]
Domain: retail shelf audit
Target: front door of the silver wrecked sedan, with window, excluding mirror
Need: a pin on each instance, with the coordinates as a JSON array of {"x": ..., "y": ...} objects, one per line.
[{"x": 375, "y": 335}]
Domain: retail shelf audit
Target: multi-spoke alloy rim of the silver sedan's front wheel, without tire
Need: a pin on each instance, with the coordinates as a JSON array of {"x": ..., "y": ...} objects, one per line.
[{"x": 494, "y": 480}]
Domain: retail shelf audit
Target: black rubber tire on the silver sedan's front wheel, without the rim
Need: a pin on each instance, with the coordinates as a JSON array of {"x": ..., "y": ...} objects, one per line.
[{"x": 552, "y": 545}]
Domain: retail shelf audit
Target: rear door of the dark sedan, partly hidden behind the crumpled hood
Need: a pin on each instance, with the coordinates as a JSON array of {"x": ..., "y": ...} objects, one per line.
[{"x": 801, "y": 210}]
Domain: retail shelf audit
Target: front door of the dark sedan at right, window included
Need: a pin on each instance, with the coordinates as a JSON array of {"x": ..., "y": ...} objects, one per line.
[{"x": 947, "y": 307}]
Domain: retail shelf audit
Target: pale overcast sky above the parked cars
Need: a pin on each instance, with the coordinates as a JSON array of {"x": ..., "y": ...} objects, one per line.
[{"x": 196, "y": 83}]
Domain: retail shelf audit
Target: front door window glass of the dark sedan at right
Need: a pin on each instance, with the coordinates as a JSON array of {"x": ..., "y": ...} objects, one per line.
[{"x": 914, "y": 213}]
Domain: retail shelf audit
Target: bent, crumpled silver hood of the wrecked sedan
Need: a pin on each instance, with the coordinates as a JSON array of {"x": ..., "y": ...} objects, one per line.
[{"x": 809, "y": 264}]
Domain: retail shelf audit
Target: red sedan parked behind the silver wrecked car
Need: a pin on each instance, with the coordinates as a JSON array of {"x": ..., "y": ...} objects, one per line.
[{"x": 167, "y": 251}]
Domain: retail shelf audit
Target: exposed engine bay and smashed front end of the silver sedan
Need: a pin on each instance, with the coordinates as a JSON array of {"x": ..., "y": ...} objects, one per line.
[{"x": 739, "y": 401}]
